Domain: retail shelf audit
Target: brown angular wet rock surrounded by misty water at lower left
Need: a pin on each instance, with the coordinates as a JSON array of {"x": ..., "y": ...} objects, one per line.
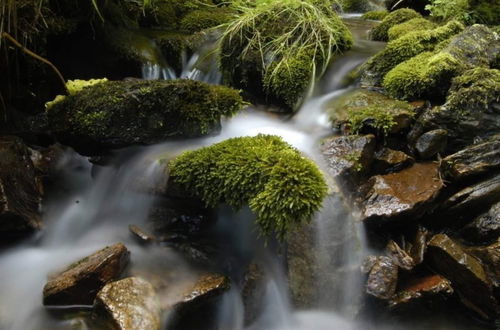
[{"x": 80, "y": 282}]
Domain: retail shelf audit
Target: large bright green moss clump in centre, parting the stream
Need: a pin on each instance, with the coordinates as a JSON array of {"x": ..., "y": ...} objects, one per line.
[{"x": 282, "y": 187}]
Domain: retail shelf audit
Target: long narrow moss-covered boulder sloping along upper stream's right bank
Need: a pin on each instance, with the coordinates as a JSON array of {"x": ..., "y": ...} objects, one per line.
[{"x": 406, "y": 47}]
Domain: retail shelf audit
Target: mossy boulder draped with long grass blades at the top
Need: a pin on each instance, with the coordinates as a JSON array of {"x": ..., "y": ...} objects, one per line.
[{"x": 276, "y": 63}]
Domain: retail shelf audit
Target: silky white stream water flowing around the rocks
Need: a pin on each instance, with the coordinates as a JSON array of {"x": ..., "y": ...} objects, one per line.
[{"x": 87, "y": 213}]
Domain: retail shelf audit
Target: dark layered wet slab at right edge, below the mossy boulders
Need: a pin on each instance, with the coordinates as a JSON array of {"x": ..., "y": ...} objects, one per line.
[{"x": 473, "y": 160}]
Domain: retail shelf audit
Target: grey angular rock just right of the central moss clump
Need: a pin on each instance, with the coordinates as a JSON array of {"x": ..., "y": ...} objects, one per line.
[{"x": 348, "y": 157}]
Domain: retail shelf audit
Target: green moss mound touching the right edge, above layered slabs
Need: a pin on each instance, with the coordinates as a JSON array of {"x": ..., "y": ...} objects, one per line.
[{"x": 475, "y": 90}]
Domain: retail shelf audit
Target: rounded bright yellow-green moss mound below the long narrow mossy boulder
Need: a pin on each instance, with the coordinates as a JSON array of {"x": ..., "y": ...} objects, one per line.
[{"x": 427, "y": 75}]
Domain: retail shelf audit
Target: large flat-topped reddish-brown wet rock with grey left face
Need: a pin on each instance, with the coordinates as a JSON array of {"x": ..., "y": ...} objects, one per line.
[{"x": 397, "y": 195}]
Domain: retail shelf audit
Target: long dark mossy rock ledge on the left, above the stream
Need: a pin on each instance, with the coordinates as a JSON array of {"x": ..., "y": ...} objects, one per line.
[{"x": 117, "y": 114}]
